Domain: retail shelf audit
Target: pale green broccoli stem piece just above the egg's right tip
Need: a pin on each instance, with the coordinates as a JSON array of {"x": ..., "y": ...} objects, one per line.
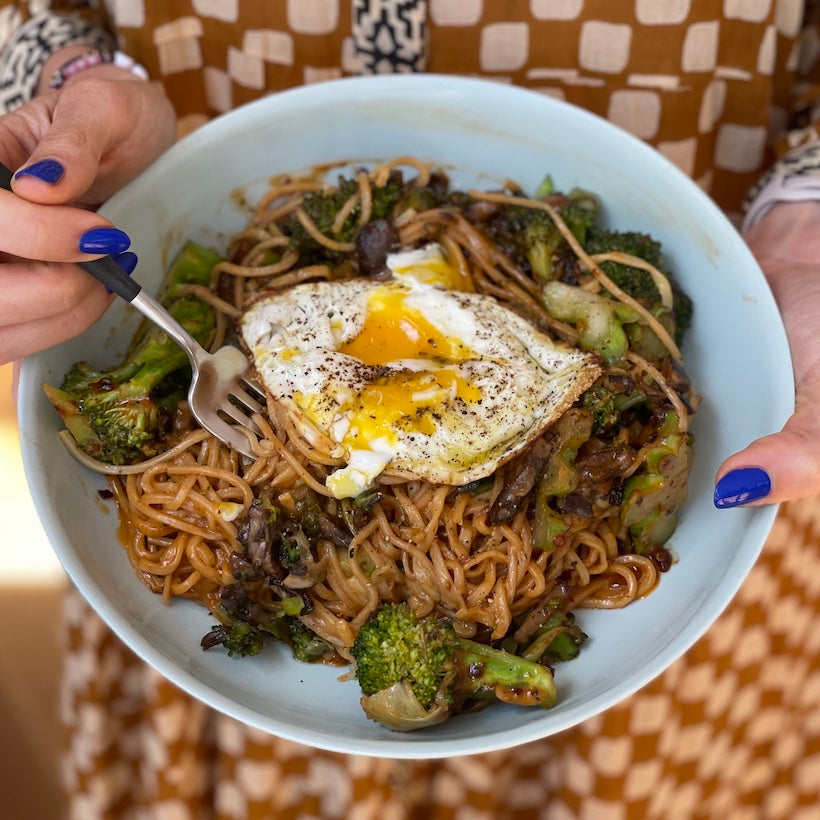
[{"x": 598, "y": 319}]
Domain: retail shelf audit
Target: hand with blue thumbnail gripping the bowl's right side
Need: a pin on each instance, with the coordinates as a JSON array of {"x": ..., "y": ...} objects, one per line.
[{"x": 786, "y": 465}]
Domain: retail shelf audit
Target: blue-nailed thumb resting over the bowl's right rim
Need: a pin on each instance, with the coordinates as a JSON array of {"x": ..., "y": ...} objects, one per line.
[{"x": 779, "y": 467}]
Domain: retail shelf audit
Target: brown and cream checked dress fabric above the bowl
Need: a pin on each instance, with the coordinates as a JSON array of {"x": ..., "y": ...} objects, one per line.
[{"x": 699, "y": 79}]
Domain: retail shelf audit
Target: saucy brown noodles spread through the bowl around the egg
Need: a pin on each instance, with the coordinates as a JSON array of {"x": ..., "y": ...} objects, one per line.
[{"x": 435, "y": 546}]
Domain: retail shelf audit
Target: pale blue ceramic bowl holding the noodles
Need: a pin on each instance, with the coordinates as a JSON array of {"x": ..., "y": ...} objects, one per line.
[{"x": 482, "y": 132}]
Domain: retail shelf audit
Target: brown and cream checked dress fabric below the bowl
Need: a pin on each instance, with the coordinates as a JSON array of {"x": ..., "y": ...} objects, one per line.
[{"x": 731, "y": 730}]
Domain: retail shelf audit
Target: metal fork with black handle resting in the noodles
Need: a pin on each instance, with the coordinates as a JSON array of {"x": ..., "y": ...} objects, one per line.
[{"x": 222, "y": 389}]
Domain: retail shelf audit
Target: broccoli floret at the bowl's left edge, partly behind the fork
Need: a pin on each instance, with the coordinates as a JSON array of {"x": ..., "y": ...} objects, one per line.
[{"x": 121, "y": 415}]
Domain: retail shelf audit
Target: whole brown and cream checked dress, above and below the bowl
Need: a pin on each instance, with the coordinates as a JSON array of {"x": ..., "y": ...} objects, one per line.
[{"x": 732, "y": 730}]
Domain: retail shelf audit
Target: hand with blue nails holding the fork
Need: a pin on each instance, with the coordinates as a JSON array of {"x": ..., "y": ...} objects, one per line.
[{"x": 71, "y": 149}]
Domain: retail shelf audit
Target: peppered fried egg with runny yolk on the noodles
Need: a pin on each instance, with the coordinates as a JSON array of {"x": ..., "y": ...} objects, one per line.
[{"x": 407, "y": 376}]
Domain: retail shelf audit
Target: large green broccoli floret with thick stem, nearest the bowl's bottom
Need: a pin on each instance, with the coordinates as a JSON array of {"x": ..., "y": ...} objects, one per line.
[{"x": 414, "y": 672}]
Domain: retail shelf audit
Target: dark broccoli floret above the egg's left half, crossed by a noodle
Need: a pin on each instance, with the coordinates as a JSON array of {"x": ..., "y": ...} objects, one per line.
[{"x": 323, "y": 207}]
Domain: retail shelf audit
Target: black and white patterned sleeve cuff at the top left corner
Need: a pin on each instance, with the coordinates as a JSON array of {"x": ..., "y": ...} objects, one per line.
[{"x": 29, "y": 46}]
